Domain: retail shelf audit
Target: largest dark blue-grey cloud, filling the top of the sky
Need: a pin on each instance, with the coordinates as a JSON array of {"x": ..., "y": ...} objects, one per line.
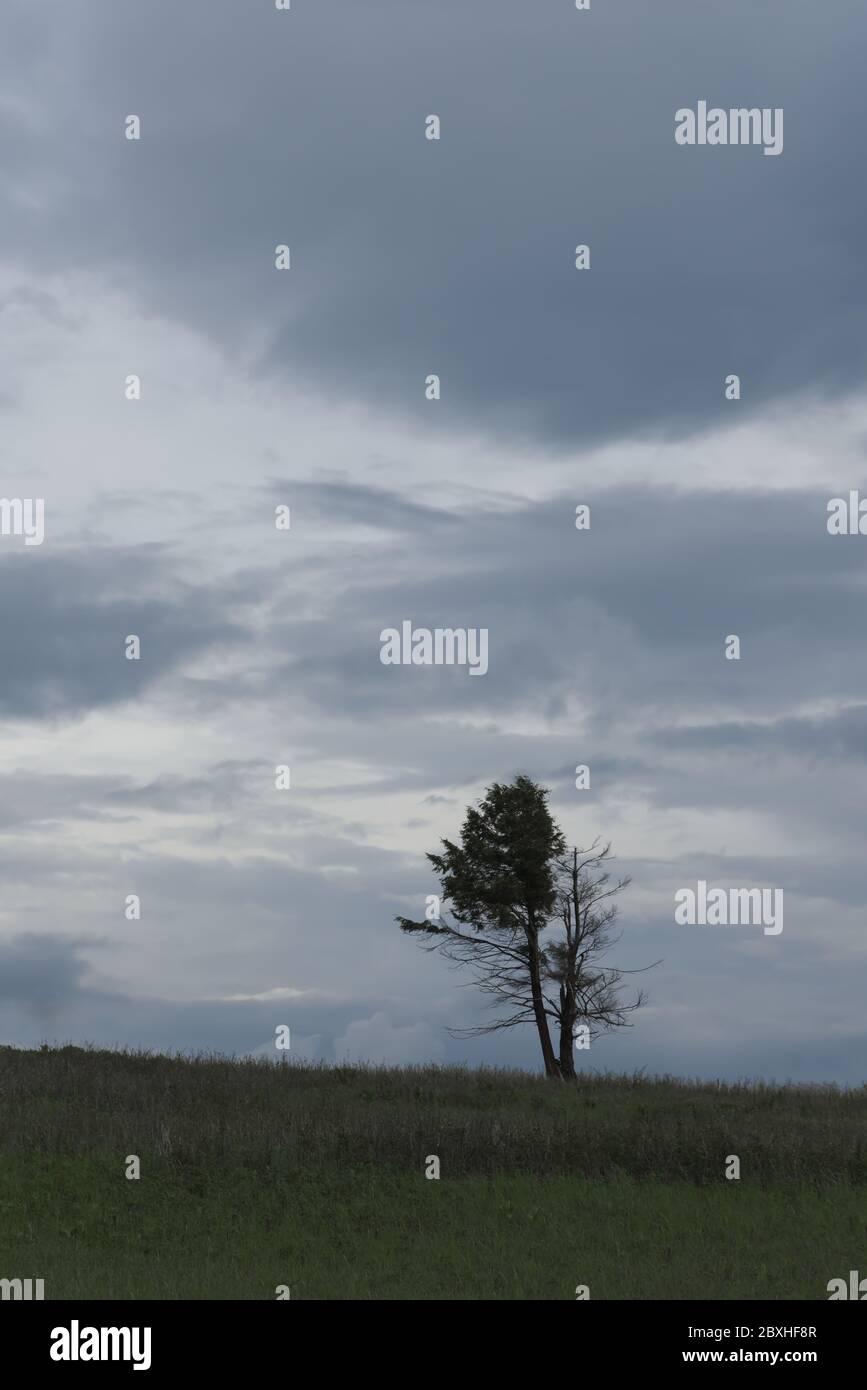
[{"x": 456, "y": 258}]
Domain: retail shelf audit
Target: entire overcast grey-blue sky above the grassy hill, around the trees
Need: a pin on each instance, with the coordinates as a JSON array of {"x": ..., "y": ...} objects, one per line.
[{"x": 308, "y": 389}]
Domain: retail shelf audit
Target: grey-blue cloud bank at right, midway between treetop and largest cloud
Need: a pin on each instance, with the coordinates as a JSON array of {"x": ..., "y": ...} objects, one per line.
[{"x": 629, "y": 616}]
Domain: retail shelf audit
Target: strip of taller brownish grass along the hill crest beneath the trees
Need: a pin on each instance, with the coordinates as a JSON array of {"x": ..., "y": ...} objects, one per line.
[{"x": 194, "y": 1113}]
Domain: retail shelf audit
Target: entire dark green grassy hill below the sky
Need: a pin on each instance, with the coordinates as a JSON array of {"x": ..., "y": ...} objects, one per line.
[{"x": 255, "y": 1177}]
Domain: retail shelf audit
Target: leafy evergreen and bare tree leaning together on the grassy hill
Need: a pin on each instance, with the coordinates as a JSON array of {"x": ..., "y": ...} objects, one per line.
[{"x": 509, "y": 882}]
